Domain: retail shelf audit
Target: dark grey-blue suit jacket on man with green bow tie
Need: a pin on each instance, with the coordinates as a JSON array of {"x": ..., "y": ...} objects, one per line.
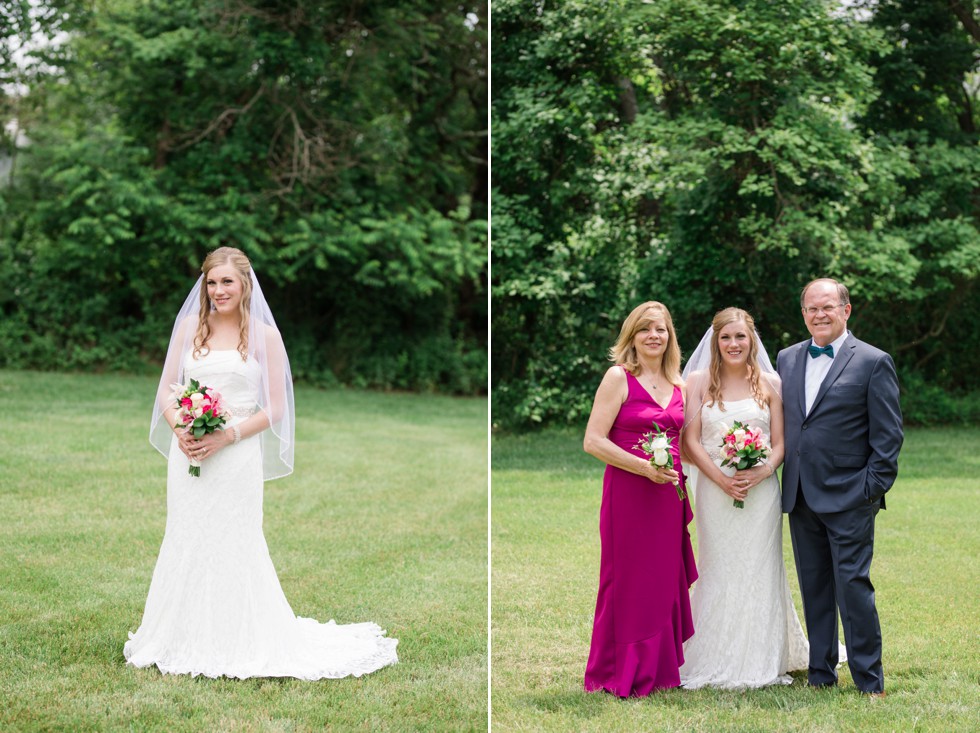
[{"x": 845, "y": 452}]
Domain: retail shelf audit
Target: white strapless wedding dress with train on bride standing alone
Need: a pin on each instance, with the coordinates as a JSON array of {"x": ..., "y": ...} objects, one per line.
[{"x": 215, "y": 606}]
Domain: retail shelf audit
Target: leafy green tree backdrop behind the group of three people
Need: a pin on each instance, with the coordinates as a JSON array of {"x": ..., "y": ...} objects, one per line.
[{"x": 704, "y": 154}]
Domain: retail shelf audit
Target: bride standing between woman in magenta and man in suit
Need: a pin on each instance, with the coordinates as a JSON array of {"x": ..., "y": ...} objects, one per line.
[{"x": 747, "y": 633}]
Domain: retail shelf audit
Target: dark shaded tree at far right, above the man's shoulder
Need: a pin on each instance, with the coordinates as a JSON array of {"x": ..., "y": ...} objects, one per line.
[{"x": 927, "y": 111}]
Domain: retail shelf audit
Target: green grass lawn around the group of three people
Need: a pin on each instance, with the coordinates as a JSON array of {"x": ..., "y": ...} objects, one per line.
[{"x": 545, "y": 558}]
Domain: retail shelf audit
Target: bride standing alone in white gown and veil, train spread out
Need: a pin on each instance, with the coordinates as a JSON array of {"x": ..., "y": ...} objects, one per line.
[{"x": 215, "y": 606}]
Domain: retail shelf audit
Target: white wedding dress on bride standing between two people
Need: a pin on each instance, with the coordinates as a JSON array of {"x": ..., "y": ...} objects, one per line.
[{"x": 746, "y": 631}]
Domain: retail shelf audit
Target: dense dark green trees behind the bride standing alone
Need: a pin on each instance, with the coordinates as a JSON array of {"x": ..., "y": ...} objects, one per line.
[{"x": 342, "y": 145}]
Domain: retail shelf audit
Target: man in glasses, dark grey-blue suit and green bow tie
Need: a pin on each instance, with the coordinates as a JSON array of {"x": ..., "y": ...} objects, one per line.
[{"x": 843, "y": 432}]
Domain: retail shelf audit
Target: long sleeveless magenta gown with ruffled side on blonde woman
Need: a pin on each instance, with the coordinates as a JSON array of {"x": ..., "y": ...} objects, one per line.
[{"x": 643, "y": 611}]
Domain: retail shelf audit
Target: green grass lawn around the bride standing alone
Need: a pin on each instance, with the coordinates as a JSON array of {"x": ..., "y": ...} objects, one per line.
[{"x": 384, "y": 519}]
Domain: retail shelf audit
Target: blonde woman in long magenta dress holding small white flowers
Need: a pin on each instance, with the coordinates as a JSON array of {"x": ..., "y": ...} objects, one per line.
[{"x": 643, "y": 611}]
